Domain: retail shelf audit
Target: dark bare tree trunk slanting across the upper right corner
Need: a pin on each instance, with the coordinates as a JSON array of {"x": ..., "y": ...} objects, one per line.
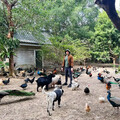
[{"x": 109, "y": 7}]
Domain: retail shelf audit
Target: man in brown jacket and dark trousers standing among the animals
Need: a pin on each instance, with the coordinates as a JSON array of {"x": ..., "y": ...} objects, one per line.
[{"x": 67, "y": 65}]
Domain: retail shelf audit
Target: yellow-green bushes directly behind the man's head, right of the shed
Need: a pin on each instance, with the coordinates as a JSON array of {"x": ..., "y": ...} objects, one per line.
[{"x": 56, "y": 51}]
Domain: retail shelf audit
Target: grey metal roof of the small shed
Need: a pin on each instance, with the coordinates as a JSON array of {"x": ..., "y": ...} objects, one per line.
[{"x": 27, "y": 37}]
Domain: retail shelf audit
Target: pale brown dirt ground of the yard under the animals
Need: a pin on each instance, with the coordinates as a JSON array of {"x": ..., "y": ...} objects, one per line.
[{"x": 72, "y": 104}]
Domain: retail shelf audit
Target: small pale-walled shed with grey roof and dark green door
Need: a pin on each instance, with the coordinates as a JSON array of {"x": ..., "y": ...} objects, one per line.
[{"x": 29, "y": 54}]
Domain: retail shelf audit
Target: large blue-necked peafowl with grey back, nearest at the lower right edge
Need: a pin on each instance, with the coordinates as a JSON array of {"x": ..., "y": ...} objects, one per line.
[{"x": 114, "y": 101}]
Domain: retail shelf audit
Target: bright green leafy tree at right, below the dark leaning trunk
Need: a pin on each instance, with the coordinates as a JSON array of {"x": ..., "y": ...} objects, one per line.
[{"x": 106, "y": 39}]
